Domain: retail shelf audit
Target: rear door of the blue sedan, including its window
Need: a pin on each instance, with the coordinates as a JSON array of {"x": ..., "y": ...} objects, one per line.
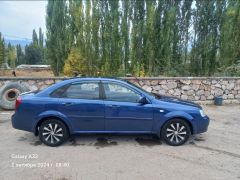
[{"x": 81, "y": 104}]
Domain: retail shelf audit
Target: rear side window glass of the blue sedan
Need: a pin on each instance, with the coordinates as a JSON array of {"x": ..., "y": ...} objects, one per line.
[{"x": 78, "y": 91}]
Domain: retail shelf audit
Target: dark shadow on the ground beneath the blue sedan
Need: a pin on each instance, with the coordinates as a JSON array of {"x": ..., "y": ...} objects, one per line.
[{"x": 109, "y": 140}]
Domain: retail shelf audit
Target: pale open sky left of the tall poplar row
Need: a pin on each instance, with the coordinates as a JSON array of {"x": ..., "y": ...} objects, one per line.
[{"x": 19, "y": 18}]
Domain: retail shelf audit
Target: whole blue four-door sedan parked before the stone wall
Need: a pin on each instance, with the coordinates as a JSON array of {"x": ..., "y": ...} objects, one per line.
[{"x": 105, "y": 105}]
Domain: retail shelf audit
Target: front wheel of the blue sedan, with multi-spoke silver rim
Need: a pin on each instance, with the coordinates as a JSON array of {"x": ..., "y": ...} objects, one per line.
[{"x": 175, "y": 132}]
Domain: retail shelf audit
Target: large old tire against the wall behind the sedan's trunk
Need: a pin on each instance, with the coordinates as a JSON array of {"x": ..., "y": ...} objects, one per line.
[{"x": 9, "y": 94}]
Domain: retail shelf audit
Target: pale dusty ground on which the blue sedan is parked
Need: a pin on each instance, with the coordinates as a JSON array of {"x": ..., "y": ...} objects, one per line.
[{"x": 212, "y": 155}]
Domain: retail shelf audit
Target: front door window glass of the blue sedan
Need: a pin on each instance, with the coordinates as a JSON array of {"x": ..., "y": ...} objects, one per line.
[{"x": 116, "y": 92}]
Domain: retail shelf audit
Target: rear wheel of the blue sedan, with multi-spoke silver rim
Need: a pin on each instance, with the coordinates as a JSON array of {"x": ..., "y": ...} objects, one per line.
[{"x": 53, "y": 132}]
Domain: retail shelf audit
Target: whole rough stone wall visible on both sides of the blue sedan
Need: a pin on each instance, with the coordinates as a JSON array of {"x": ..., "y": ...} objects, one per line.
[{"x": 201, "y": 89}]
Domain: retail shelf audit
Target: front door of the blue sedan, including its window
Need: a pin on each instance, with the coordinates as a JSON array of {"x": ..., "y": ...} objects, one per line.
[{"x": 122, "y": 110}]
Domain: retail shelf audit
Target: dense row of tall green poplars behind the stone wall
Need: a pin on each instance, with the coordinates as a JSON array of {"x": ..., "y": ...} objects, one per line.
[{"x": 171, "y": 38}]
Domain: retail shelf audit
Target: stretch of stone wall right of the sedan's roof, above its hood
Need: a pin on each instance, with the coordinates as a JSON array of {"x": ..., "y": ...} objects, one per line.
[{"x": 194, "y": 89}]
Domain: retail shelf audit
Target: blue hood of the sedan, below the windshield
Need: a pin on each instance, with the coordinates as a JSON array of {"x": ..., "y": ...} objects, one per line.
[{"x": 179, "y": 101}]
